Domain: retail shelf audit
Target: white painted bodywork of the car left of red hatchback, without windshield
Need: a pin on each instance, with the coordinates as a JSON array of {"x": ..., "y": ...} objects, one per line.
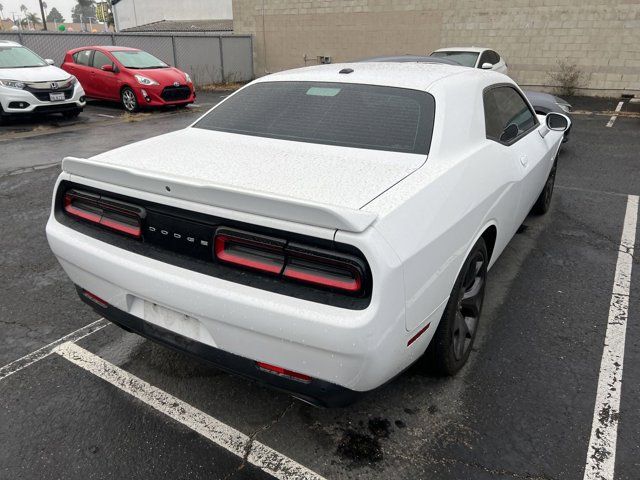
[{"x": 39, "y": 81}]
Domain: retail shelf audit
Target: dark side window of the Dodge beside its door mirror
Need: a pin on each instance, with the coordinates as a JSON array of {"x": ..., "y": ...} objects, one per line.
[{"x": 507, "y": 116}]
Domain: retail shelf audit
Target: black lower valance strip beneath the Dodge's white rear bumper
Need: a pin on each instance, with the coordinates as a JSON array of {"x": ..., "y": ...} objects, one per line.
[{"x": 316, "y": 392}]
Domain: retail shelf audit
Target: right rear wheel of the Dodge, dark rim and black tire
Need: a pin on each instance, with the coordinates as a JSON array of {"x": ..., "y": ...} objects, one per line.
[{"x": 452, "y": 343}]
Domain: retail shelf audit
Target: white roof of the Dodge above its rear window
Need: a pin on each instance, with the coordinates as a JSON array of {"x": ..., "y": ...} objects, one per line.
[{"x": 414, "y": 75}]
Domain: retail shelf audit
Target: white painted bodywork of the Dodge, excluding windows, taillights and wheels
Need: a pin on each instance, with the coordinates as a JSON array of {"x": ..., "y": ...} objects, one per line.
[{"x": 413, "y": 217}]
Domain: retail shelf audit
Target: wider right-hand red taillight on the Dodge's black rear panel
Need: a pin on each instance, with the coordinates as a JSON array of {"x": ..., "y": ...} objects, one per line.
[{"x": 294, "y": 261}]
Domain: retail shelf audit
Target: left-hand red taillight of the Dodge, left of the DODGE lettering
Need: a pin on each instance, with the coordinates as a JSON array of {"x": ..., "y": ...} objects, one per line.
[{"x": 112, "y": 214}]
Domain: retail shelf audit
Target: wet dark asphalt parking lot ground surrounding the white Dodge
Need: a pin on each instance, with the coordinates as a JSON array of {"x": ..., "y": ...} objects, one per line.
[{"x": 523, "y": 408}]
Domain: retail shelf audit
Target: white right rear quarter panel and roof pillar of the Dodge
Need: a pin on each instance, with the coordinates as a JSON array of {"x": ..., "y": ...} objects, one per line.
[{"x": 433, "y": 217}]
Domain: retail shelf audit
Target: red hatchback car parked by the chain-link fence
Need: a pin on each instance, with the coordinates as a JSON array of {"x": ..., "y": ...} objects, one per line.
[{"x": 131, "y": 76}]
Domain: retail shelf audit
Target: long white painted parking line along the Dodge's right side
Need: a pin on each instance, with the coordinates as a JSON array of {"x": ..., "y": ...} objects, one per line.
[{"x": 601, "y": 455}]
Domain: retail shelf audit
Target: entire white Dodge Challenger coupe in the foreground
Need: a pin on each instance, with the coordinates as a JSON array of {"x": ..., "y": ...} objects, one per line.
[{"x": 319, "y": 230}]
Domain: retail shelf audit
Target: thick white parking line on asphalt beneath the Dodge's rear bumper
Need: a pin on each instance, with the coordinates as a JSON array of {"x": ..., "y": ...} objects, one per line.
[{"x": 234, "y": 441}]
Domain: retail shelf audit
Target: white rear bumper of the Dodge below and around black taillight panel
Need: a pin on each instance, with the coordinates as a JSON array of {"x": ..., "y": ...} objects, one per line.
[{"x": 357, "y": 350}]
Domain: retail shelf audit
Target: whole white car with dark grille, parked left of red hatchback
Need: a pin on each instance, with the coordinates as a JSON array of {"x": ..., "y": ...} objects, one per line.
[{"x": 30, "y": 85}]
